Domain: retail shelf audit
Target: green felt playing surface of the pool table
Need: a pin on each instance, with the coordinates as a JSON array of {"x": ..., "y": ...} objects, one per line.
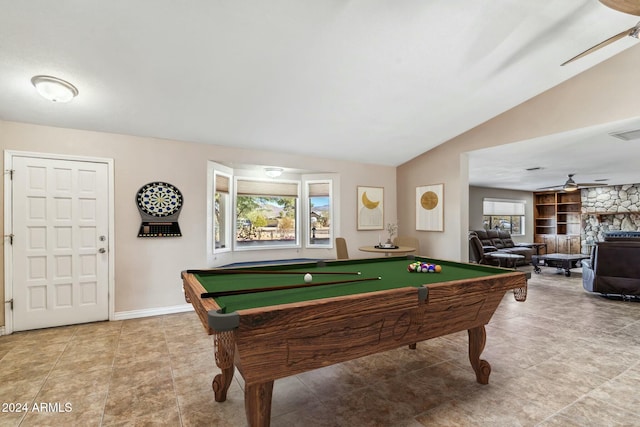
[{"x": 392, "y": 271}]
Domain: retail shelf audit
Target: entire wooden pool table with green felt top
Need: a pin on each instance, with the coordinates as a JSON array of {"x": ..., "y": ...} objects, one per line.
[{"x": 372, "y": 305}]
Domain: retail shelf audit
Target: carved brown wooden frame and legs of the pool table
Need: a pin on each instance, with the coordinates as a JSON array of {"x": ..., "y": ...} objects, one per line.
[{"x": 278, "y": 341}]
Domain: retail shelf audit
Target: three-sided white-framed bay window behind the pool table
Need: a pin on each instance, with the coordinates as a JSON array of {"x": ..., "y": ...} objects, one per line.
[{"x": 250, "y": 212}]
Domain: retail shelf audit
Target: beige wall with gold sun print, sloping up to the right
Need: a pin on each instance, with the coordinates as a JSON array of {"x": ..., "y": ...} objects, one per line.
[{"x": 603, "y": 94}]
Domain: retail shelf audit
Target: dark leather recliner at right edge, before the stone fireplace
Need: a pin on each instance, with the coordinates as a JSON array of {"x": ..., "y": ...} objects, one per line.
[{"x": 614, "y": 266}]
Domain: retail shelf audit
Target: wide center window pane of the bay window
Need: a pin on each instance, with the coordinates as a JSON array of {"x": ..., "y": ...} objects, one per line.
[{"x": 266, "y": 214}]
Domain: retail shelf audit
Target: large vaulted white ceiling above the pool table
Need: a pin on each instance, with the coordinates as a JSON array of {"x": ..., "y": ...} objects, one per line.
[{"x": 376, "y": 81}]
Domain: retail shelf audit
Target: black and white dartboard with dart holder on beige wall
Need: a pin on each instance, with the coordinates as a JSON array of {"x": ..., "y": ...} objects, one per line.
[{"x": 159, "y": 204}]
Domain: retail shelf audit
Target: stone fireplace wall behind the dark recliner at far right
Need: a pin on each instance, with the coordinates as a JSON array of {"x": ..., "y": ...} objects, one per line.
[{"x": 604, "y": 209}]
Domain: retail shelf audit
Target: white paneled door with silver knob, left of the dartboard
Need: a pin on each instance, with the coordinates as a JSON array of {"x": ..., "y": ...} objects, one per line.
[{"x": 60, "y": 211}]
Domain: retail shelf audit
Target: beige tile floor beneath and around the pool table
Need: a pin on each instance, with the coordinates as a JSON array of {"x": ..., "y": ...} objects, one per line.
[{"x": 562, "y": 358}]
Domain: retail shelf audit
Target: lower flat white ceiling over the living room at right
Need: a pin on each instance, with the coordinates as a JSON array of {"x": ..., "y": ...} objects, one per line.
[{"x": 592, "y": 154}]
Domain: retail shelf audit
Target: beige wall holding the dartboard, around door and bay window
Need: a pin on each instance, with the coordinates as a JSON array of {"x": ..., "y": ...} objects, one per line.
[{"x": 147, "y": 271}]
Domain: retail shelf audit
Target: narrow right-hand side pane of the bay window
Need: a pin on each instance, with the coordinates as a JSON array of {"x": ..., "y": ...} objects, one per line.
[{"x": 320, "y": 212}]
